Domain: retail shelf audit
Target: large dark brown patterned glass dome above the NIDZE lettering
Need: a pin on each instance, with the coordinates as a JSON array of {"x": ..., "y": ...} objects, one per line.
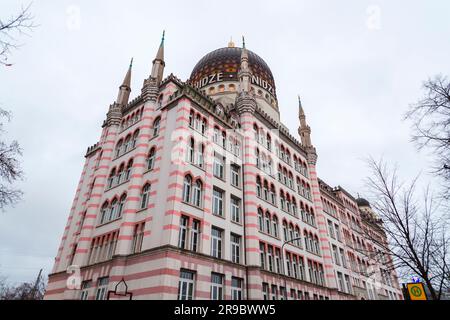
[{"x": 227, "y": 61}]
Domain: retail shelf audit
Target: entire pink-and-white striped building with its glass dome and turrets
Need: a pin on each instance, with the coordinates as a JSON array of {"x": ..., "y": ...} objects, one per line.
[{"x": 196, "y": 190}]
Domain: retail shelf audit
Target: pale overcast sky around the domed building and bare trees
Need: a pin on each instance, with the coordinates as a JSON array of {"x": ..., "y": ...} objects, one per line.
[{"x": 357, "y": 67}]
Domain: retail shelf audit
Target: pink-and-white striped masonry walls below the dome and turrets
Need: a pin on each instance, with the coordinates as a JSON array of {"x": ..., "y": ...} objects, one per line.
[{"x": 141, "y": 244}]
